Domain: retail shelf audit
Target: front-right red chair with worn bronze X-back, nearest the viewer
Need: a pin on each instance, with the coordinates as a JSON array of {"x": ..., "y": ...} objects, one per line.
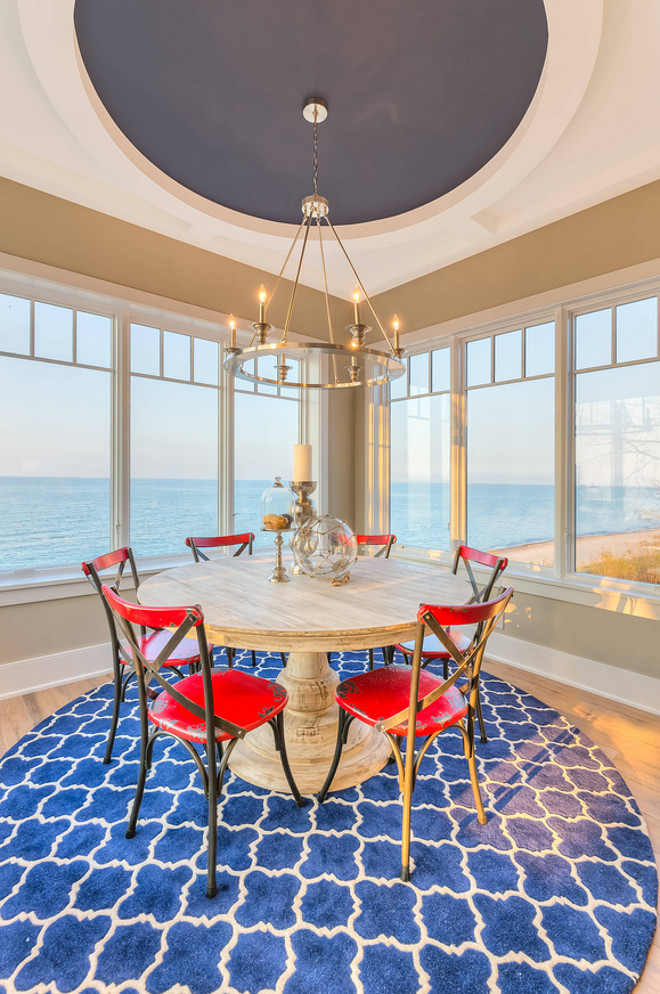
[{"x": 386, "y": 699}]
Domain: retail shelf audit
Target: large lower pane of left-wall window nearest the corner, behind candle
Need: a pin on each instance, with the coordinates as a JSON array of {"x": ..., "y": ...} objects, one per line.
[{"x": 266, "y": 429}]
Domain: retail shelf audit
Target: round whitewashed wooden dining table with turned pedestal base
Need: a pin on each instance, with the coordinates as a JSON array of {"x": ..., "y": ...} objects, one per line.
[{"x": 307, "y": 618}]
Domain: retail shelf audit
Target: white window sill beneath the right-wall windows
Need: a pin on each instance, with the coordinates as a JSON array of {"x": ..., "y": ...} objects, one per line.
[{"x": 637, "y": 599}]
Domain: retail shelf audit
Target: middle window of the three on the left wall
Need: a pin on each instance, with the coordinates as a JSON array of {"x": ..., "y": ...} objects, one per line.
[{"x": 174, "y": 439}]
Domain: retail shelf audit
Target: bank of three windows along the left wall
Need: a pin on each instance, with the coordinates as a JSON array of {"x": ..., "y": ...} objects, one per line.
[{"x": 115, "y": 431}]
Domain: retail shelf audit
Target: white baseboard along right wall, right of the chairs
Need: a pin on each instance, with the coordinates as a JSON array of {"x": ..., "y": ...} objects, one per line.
[{"x": 616, "y": 684}]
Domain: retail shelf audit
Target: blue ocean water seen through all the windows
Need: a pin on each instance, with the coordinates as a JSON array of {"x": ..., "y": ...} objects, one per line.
[{"x": 50, "y": 521}]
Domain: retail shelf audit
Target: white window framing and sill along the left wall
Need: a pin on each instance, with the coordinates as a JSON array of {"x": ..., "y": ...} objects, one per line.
[{"x": 43, "y": 284}]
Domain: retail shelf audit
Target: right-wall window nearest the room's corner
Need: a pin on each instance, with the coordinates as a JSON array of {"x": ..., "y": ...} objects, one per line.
[{"x": 420, "y": 450}]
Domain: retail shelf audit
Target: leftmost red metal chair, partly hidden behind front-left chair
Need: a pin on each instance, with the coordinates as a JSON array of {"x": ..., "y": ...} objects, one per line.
[{"x": 187, "y": 653}]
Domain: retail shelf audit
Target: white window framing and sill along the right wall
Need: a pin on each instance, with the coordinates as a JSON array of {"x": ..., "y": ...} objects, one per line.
[{"x": 561, "y": 581}]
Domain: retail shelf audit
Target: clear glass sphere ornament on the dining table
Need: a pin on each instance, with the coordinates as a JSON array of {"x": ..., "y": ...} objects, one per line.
[{"x": 325, "y": 548}]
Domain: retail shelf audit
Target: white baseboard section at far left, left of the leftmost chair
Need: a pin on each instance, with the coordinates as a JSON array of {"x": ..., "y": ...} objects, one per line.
[{"x": 28, "y": 675}]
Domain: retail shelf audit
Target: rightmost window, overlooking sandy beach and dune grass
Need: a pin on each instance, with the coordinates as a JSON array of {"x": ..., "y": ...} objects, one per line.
[{"x": 617, "y": 441}]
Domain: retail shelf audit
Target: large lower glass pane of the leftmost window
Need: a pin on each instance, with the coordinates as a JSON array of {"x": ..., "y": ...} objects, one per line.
[{"x": 55, "y": 489}]
